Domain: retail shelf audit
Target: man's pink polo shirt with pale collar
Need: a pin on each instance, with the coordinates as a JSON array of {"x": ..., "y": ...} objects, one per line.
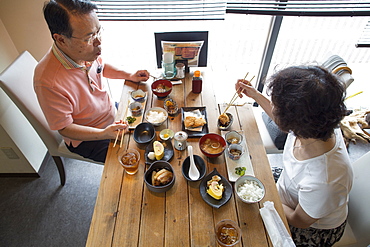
[{"x": 69, "y": 94}]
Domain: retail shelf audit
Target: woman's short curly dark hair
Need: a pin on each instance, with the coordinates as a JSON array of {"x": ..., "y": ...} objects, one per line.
[{"x": 308, "y": 100}]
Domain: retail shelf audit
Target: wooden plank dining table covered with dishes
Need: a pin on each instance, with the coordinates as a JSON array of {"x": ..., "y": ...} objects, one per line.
[{"x": 128, "y": 214}]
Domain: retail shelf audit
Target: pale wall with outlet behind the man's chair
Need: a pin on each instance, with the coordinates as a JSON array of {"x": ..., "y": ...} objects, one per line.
[{"x": 22, "y": 27}]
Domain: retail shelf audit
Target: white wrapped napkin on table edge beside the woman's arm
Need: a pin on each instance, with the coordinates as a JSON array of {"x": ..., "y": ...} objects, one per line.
[{"x": 275, "y": 227}]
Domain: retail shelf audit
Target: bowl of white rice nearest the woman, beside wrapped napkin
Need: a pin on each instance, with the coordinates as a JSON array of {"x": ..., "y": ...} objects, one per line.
[{"x": 249, "y": 189}]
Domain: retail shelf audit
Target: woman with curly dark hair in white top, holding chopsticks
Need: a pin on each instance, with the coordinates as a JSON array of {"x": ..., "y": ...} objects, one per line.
[{"x": 308, "y": 103}]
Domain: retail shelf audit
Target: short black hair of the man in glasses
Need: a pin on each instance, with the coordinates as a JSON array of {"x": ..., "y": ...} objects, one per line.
[{"x": 57, "y": 12}]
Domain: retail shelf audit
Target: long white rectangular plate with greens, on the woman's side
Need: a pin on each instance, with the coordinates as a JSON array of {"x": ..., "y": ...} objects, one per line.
[{"x": 243, "y": 161}]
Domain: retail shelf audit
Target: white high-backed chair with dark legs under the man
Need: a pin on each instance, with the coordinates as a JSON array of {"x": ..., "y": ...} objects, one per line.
[{"x": 17, "y": 83}]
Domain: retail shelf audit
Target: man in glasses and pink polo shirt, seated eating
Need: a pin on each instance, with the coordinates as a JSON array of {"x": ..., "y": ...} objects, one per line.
[{"x": 68, "y": 84}]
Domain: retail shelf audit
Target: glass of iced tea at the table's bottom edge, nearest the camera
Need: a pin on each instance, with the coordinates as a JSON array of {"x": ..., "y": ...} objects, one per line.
[{"x": 227, "y": 233}]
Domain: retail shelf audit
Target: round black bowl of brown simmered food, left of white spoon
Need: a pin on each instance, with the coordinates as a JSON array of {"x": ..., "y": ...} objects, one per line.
[{"x": 156, "y": 167}]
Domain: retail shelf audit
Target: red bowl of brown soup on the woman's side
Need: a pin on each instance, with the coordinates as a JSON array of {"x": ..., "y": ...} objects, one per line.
[{"x": 212, "y": 145}]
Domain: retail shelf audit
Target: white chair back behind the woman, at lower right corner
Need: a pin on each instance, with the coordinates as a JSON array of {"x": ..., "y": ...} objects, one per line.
[{"x": 357, "y": 233}]
